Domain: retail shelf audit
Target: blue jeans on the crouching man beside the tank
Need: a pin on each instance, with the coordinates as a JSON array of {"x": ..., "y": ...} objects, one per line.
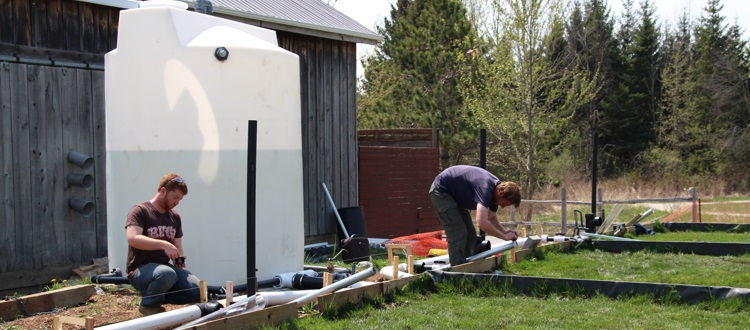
[{"x": 159, "y": 284}]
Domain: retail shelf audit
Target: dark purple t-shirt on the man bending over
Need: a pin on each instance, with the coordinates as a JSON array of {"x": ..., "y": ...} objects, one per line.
[{"x": 468, "y": 185}]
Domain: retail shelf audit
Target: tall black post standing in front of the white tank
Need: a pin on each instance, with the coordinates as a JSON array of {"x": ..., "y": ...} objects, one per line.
[{"x": 252, "y": 148}]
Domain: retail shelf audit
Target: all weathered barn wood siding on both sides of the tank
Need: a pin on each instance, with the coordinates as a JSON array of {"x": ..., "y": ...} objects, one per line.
[{"x": 49, "y": 108}]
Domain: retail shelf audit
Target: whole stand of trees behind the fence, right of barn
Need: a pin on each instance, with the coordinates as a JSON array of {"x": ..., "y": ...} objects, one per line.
[{"x": 546, "y": 76}]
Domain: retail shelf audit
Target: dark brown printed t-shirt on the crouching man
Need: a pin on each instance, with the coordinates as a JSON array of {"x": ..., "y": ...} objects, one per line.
[{"x": 164, "y": 226}]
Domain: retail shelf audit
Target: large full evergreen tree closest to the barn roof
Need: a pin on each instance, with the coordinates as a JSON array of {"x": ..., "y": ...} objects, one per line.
[{"x": 411, "y": 79}]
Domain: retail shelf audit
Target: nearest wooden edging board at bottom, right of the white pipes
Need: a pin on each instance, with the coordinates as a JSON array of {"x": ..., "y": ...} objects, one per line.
[{"x": 270, "y": 316}]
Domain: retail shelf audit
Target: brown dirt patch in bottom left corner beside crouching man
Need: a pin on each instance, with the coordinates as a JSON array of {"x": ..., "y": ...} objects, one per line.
[{"x": 111, "y": 304}]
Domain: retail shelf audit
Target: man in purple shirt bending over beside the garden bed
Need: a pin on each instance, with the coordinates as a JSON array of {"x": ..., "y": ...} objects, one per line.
[{"x": 461, "y": 188}]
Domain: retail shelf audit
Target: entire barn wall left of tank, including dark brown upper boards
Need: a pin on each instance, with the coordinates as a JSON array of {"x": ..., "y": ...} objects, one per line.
[{"x": 49, "y": 107}]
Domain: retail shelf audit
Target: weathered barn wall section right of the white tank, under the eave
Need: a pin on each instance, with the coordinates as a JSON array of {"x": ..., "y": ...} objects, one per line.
[{"x": 329, "y": 128}]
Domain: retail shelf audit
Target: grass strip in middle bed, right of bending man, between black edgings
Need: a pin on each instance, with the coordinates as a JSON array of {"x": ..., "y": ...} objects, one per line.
[{"x": 641, "y": 266}]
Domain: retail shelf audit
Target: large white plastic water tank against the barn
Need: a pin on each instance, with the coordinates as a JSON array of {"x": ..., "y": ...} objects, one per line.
[{"x": 172, "y": 106}]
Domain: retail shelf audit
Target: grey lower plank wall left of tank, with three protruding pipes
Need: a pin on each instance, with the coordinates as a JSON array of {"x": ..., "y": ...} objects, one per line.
[{"x": 46, "y": 112}]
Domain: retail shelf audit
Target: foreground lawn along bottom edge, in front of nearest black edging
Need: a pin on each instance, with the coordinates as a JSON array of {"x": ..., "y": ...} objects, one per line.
[{"x": 447, "y": 306}]
